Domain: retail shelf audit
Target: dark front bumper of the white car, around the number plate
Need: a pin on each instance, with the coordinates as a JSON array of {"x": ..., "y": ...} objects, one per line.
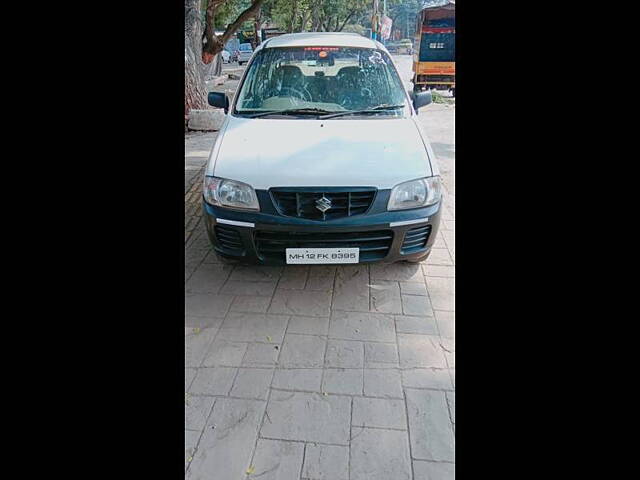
[{"x": 257, "y": 237}]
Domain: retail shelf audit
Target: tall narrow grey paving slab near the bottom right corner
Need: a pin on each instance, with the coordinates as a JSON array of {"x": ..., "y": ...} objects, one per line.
[{"x": 430, "y": 426}]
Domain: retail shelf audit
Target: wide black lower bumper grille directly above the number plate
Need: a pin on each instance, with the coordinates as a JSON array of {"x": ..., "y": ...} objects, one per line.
[{"x": 373, "y": 245}]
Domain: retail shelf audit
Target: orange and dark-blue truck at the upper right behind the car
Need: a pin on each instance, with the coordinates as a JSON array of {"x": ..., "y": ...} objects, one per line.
[{"x": 434, "y": 64}]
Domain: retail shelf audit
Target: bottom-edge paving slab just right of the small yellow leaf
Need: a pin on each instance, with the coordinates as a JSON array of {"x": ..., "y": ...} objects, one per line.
[{"x": 277, "y": 460}]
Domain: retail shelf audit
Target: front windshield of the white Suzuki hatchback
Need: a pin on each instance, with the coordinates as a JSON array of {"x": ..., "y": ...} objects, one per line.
[{"x": 325, "y": 79}]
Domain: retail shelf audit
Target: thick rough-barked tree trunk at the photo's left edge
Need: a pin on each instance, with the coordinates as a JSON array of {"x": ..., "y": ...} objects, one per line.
[{"x": 195, "y": 91}]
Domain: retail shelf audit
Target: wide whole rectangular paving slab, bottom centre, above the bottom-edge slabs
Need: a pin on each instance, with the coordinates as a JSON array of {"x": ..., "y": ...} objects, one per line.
[{"x": 308, "y": 417}]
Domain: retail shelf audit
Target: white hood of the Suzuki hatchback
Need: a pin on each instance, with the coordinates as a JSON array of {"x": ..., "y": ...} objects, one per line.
[{"x": 266, "y": 152}]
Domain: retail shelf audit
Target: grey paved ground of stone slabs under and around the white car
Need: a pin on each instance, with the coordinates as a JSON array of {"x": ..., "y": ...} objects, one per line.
[{"x": 320, "y": 372}]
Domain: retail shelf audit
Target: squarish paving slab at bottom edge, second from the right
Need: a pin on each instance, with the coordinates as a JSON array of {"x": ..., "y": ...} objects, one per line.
[{"x": 379, "y": 455}]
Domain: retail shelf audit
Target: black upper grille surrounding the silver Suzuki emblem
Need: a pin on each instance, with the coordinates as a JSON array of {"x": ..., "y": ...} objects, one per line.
[{"x": 301, "y": 203}]
